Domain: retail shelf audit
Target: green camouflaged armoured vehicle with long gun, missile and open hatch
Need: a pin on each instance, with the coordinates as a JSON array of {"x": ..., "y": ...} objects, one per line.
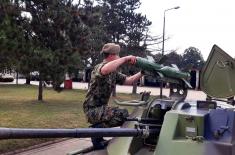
[{"x": 168, "y": 125}]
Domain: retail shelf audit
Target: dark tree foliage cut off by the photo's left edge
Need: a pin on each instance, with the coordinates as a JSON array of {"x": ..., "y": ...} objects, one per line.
[{"x": 11, "y": 35}]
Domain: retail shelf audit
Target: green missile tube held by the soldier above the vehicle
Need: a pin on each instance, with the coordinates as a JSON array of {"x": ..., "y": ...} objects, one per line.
[{"x": 167, "y": 71}]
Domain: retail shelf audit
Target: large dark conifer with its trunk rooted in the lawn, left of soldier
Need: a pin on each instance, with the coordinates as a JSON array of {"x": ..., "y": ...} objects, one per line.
[{"x": 57, "y": 34}]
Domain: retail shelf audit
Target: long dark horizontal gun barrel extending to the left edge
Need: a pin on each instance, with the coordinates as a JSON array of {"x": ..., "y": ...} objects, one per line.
[{"x": 22, "y": 133}]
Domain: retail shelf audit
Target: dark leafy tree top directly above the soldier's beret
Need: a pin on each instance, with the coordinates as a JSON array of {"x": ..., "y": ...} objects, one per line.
[{"x": 122, "y": 23}]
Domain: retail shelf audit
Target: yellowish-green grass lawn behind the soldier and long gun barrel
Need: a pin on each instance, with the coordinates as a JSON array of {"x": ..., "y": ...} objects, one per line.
[{"x": 19, "y": 108}]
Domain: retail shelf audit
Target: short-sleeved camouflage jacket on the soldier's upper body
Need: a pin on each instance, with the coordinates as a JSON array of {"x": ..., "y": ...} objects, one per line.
[{"x": 101, "y": 87}]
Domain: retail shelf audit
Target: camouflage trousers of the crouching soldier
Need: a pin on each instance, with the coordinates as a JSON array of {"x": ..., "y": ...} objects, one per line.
[{"x": 106, "y": 116}]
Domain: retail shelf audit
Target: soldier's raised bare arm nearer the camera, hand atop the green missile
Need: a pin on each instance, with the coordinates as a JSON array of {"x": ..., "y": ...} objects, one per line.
[{"x": 113, "y": 65}]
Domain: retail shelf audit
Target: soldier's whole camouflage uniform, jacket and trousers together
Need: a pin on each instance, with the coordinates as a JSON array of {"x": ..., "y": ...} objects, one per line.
[{"x": 96, "y": 103}]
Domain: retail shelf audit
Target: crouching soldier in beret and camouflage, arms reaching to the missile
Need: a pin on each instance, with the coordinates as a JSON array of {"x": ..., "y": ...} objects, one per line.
[{"x": 104, "y": 77}]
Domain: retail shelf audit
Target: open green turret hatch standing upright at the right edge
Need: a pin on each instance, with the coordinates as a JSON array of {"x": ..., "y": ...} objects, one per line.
[{"x": 218, "y": 74}]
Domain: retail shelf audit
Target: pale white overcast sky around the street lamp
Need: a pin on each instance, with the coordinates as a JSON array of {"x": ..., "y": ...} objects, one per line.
[{"x": 197, "y": 23}]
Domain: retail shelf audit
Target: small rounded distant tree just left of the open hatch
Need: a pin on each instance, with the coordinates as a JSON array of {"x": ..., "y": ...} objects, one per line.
[{"x": 192, "y": 58}]
